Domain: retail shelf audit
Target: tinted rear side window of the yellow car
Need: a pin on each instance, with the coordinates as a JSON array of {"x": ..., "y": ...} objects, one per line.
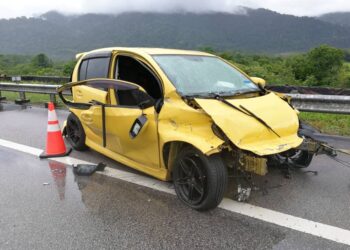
[{"x": 94, "y": 68}]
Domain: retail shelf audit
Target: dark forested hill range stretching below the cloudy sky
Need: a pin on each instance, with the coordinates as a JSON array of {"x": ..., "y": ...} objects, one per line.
[{"x": 255, "y": 31}]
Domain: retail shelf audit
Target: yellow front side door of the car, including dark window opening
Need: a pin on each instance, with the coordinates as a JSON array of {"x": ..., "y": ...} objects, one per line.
[{"x": 144, "y": 147}]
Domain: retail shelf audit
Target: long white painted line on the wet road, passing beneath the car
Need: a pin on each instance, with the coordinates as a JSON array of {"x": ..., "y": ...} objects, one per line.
[{"x": 321, "y": 230}]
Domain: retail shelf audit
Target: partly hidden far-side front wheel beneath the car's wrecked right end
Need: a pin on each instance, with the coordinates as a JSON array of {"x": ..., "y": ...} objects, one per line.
[{"x": 298, "y": 158}]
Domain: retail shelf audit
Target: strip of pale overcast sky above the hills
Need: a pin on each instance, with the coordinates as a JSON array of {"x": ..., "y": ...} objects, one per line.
[{"x": 15, "y": 8}]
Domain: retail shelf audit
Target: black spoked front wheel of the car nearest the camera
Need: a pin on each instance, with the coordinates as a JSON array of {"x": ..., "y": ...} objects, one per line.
[{"x": 200, "y": 181}]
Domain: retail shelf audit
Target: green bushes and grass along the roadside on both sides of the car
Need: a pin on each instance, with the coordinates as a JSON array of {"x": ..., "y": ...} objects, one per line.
[{"x": 322, "y": 66}]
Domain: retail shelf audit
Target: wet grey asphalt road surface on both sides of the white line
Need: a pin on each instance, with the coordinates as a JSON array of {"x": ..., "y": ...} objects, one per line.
[{"x": 99, "y": 212}]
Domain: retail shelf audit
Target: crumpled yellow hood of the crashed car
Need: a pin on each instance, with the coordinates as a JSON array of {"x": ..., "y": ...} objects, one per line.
[{"x": 247, "y": 132}]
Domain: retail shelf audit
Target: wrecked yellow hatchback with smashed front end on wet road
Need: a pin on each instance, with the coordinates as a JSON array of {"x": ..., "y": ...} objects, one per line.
[{"x": 185, "y": 116}]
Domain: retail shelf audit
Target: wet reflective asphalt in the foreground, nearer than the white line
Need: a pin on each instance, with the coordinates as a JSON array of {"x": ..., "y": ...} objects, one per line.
[{"x": 101, "y": 212}]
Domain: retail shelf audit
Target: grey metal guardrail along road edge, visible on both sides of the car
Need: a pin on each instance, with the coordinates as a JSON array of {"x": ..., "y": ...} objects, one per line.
[{"x": 304, "y": 102}]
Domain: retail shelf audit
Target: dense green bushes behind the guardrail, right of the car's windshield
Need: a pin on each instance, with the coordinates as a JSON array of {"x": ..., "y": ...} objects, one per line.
[{"x": 322, "y": 66}]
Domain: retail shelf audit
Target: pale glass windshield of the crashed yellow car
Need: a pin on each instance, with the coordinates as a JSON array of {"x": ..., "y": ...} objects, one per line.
[{"x": 203, "y": 75}]
